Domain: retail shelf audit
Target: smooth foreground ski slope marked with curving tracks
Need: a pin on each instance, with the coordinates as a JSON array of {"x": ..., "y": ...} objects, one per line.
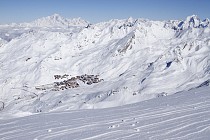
[{"x": 181, "y": 116}]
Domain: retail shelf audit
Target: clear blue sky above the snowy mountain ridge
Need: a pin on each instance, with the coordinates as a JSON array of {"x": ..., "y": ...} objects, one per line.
[{"x": 102, "y": 10}]
